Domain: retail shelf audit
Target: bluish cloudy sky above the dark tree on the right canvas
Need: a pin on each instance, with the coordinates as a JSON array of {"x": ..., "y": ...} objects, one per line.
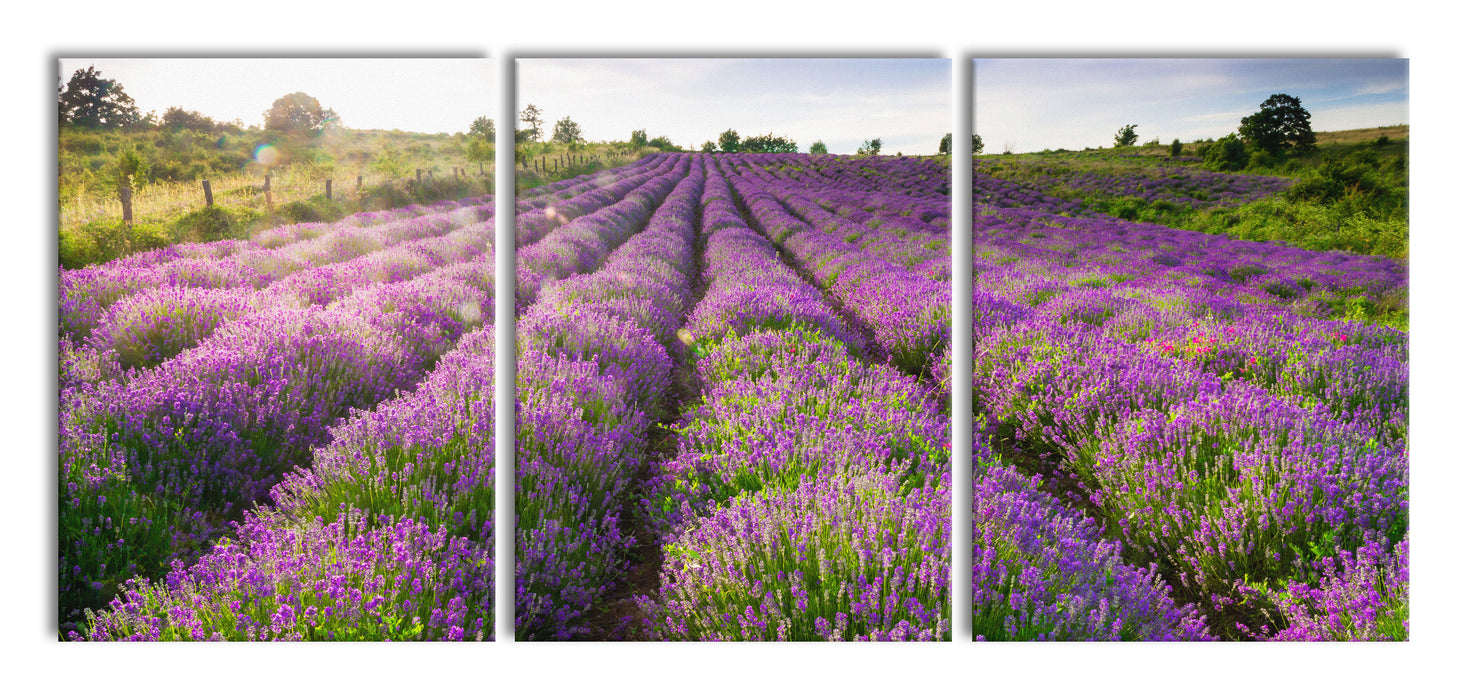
[{"x": 1031, "y": 105}]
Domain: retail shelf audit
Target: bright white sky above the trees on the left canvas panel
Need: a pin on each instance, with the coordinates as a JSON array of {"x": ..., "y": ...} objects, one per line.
[{"x": 426, "y": 96}]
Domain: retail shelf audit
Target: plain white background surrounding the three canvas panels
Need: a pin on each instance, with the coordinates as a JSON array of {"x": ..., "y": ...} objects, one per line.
[{"x": 37, "y": 34}]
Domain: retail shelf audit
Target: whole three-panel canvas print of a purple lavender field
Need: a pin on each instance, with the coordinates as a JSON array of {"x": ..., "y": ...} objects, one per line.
[{"x": 754, "y": 350}]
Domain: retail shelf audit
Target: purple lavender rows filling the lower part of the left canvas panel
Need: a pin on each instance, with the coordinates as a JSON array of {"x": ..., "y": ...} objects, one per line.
[{"x": 381, "y": 531}]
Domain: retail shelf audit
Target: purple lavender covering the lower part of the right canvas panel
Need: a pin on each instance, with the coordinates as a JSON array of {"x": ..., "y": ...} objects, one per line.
[{"x": 1193, "y": 422}]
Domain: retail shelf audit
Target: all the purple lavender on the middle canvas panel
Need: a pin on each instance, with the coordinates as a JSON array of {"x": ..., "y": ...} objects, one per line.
[{"x": 735, "y": 359}]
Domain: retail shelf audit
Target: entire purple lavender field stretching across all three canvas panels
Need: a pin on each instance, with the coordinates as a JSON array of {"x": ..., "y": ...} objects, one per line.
[{"x": 733, "y": 420}]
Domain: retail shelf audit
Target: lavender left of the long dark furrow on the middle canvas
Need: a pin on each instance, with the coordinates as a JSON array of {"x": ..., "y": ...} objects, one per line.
[{"x": 595, "y": 371}]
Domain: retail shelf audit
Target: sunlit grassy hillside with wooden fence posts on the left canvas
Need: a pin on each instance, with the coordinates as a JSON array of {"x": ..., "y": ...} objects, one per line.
[{"x": 368, "y": 169}]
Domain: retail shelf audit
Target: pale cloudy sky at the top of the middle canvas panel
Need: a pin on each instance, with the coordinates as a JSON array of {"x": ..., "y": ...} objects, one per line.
[{"x": 906, "y": 103}]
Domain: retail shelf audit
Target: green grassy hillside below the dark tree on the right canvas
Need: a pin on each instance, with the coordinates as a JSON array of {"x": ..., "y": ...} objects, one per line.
[{"x": 1348, "y": 194}]
